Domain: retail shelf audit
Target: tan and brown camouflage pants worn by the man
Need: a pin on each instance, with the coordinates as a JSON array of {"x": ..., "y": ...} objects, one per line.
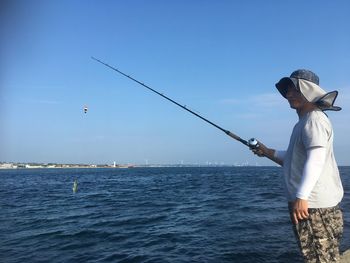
[{"x": 319, "y": 236}]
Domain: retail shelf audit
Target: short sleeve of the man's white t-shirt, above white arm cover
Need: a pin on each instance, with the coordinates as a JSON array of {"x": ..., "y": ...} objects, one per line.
[{"x": 316, "y": 133}]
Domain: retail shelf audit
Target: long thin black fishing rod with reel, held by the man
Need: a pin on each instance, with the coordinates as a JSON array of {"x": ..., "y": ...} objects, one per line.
[{"x": 251, "y": 143}]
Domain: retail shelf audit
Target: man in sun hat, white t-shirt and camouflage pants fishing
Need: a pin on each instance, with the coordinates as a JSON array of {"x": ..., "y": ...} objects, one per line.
[{"x": 312, "y": 180}]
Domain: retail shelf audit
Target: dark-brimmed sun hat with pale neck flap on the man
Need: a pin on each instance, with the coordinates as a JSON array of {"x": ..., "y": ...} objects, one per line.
[{"x": 307, "y": 82}]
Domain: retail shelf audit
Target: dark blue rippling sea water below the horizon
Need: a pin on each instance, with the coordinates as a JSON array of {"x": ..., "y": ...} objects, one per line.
[{"x": 226, "y": 214}]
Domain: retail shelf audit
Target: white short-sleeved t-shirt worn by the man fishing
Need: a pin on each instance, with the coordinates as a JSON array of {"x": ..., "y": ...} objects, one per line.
[{"x": 313, "y": 130}]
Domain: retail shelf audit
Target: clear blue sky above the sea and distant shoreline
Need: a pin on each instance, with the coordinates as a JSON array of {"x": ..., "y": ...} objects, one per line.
[{"x": 220, "y": 58}]
